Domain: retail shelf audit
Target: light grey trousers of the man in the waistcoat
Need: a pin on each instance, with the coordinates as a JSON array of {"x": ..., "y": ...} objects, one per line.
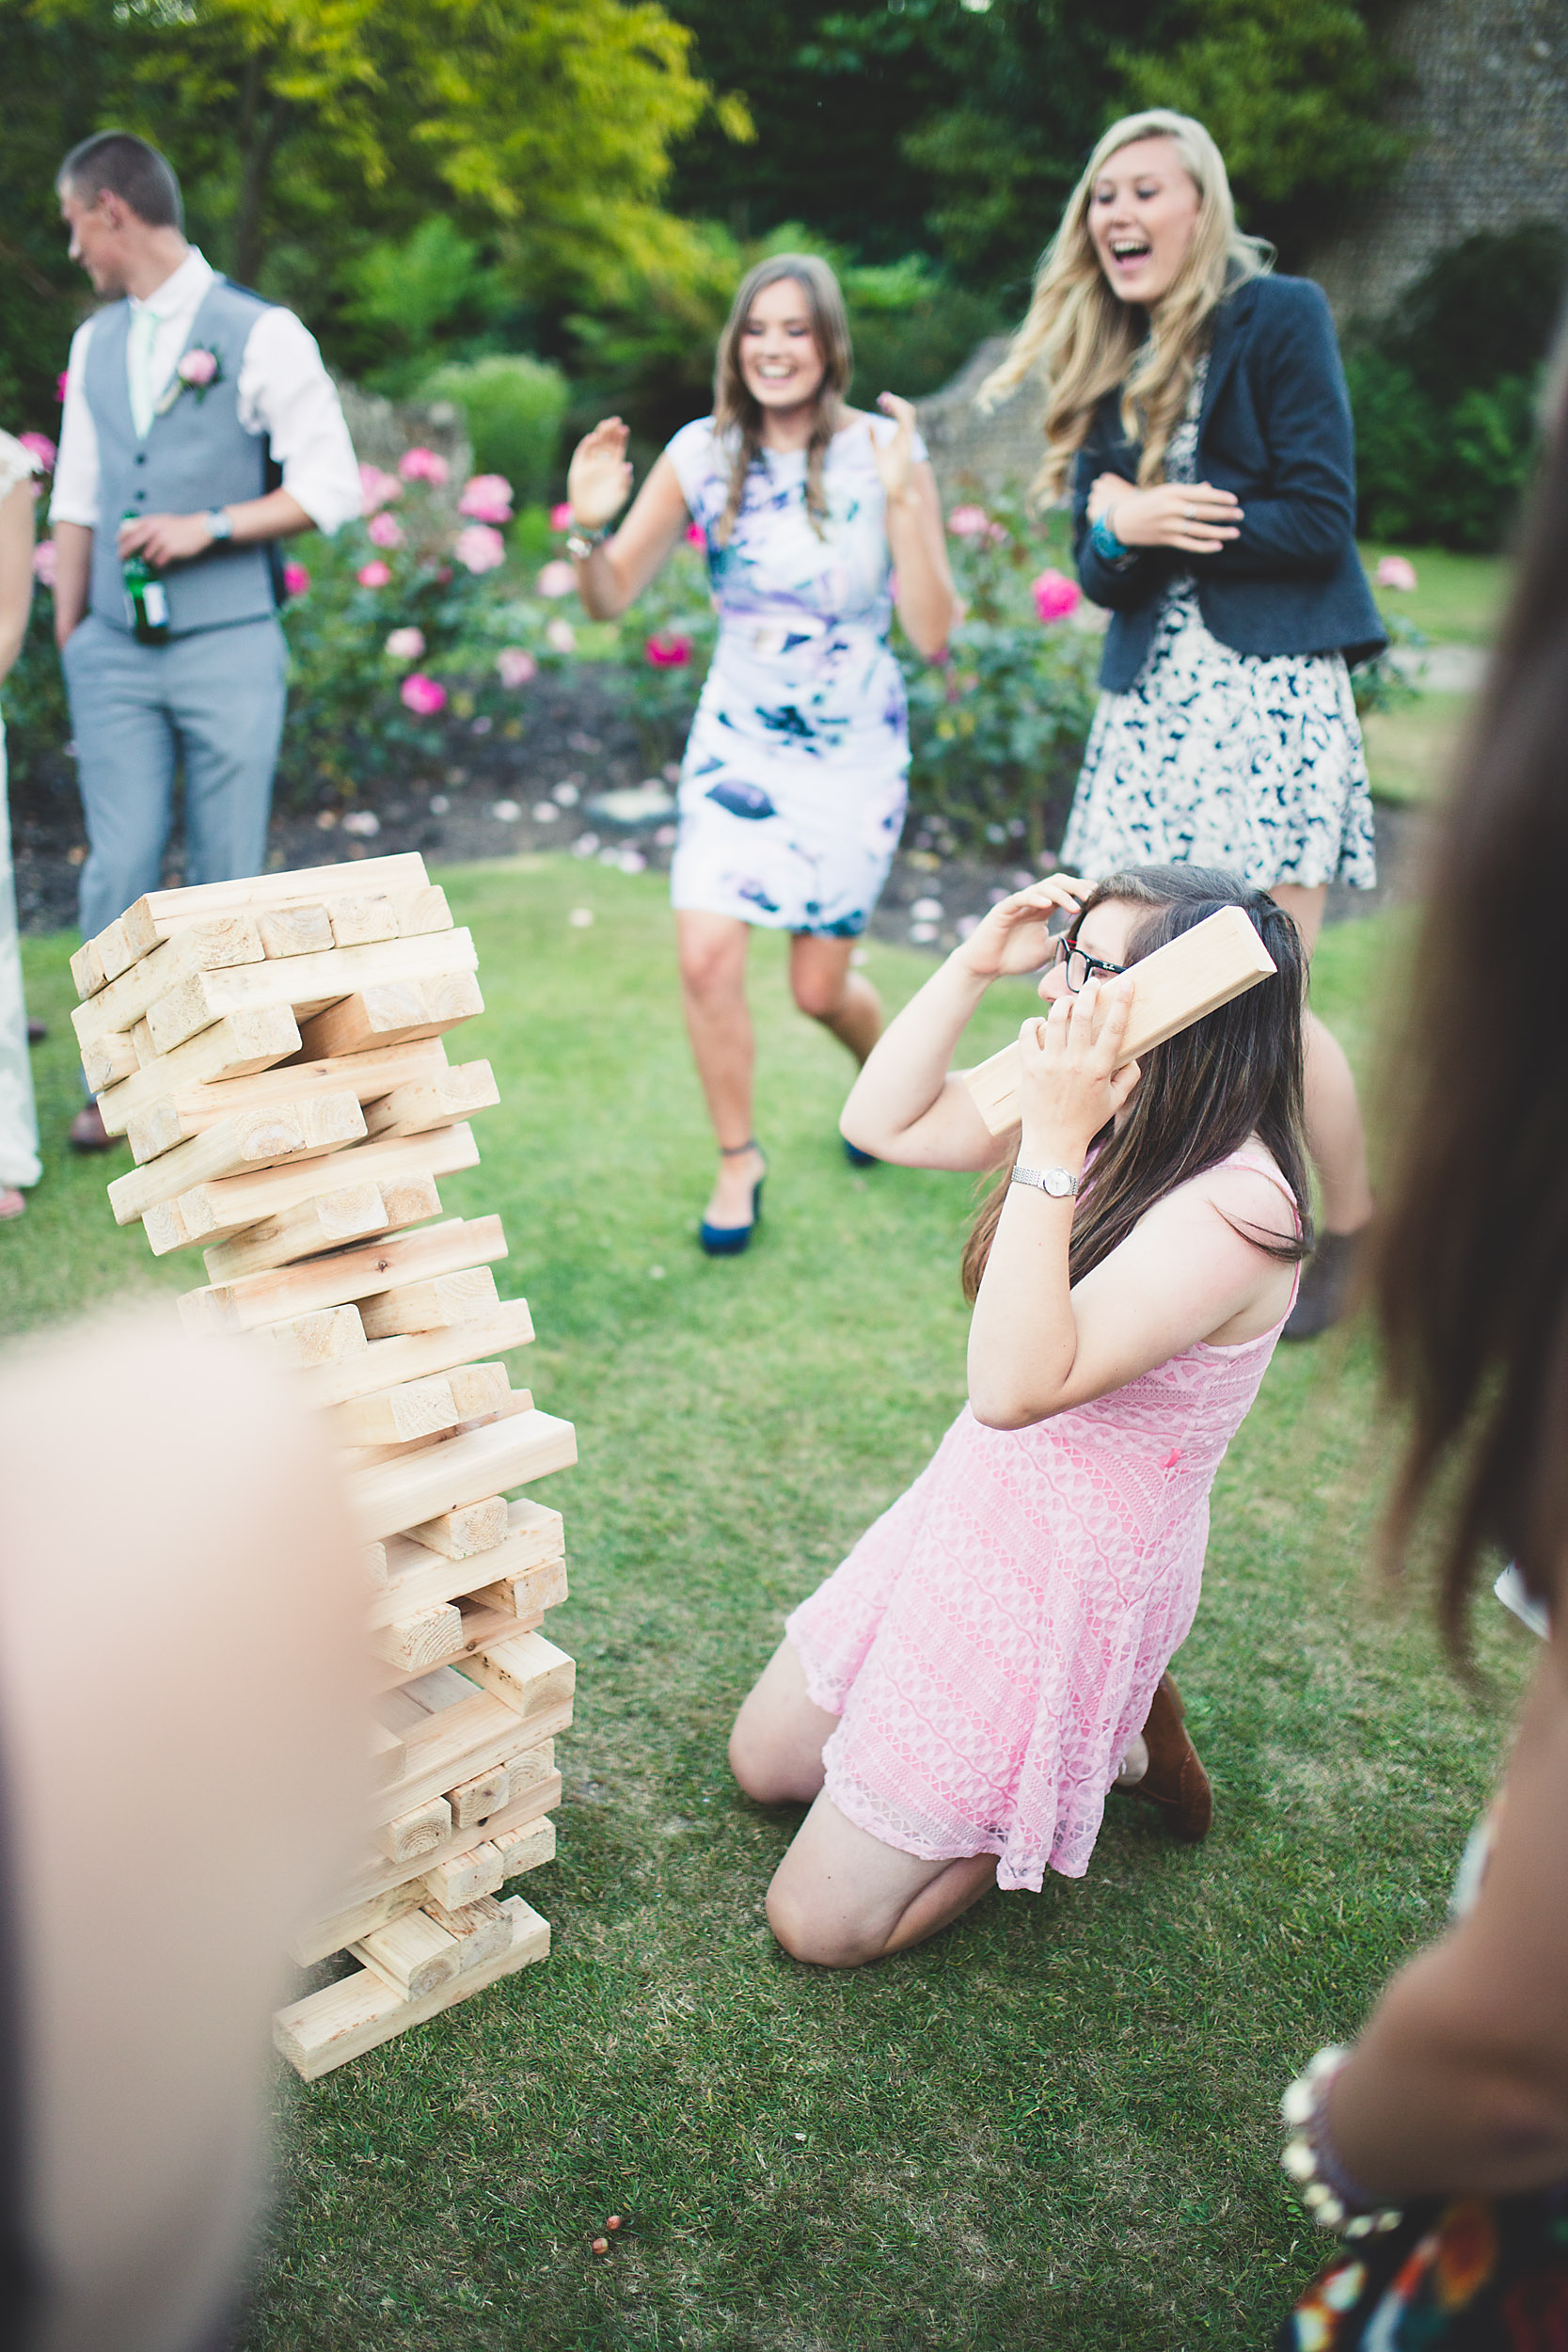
[{"x": 217, "y": 697}]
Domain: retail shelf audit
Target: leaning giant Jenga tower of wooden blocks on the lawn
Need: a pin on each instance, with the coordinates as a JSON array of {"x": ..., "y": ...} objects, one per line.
[{"x": 274, "y": 1057}]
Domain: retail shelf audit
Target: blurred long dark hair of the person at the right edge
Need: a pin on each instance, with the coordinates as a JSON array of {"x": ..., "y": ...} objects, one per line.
[{"x": 1473, "y": 1264}]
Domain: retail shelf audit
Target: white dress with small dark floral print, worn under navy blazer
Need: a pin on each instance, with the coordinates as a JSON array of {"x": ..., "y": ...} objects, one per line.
[{"x": 1219, "y": 759}]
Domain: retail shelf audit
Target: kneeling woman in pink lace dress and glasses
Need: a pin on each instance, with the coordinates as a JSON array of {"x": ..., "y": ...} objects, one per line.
[{"x": 963, "y": 1695}]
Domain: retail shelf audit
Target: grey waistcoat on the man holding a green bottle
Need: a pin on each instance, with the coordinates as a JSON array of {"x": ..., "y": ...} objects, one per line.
[{"x": 194, "y": 457}]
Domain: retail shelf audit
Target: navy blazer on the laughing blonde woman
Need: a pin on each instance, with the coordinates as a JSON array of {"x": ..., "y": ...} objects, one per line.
[{"x": 1275, "y": 427}]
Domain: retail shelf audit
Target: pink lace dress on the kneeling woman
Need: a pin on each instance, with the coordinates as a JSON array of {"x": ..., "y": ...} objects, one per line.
[{"x": 993, "y": 1643}]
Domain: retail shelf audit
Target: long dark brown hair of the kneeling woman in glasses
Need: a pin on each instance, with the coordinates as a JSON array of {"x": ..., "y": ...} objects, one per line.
[{"x": 1231, "y": 1076}]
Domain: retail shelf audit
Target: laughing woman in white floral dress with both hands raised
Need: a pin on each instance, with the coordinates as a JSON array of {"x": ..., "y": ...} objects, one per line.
[{"x": 796, "y": 773}]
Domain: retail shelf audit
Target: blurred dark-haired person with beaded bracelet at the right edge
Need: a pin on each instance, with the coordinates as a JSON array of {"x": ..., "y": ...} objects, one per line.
[{"x": 1440, "y": 2141}]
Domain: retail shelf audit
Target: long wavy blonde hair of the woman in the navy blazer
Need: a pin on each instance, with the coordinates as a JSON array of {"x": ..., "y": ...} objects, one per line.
[{"x": 1090, "y": 340}]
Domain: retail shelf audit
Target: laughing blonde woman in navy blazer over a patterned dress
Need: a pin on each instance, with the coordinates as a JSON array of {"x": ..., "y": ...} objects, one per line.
[{"x": 1198, "y": 413}]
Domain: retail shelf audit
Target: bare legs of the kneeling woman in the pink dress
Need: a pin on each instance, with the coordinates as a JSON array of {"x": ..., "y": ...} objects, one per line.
[{"x": 840, "y": 1897}]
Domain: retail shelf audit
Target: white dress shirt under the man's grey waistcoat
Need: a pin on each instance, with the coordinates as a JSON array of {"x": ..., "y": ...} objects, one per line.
[{"x": 283, "y": 392}]
